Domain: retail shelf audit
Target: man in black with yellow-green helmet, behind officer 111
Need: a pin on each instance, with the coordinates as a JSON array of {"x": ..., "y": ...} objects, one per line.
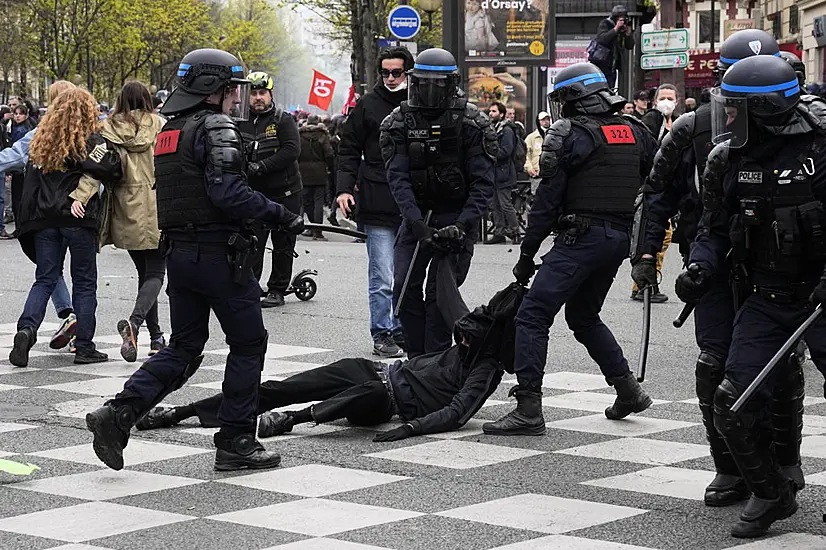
[{"x": 273, "y": 170}]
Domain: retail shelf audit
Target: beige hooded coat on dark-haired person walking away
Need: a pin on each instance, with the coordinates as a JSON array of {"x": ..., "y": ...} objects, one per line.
[{"x": 132, "y": 220}]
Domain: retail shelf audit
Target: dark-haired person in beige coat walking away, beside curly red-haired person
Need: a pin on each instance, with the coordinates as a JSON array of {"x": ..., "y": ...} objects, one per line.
[{"x": 130, "y": 213}]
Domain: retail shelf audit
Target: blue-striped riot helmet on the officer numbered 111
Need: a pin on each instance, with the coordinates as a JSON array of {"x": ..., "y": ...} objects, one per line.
[{"x": 202, "y": 73}]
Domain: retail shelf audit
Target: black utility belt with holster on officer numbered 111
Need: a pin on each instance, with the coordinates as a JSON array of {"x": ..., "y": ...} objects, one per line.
[{"x": 239, "y": 249}]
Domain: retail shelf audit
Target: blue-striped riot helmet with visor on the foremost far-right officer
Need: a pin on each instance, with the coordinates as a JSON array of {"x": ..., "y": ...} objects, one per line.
[{"x": 761, "y": 88}]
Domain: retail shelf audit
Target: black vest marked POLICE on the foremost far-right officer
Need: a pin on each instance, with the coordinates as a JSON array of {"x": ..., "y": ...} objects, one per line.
[{"x": 781, "y": 227}]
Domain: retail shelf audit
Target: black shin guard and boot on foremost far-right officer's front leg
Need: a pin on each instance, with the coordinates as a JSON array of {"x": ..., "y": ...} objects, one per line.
[{"x": 749, "y": 438}]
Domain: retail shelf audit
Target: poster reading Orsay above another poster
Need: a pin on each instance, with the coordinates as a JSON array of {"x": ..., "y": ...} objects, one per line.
[{"x": 514, "y": 32}]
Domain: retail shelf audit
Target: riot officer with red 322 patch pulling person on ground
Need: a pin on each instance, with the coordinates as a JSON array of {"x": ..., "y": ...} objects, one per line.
[{"x": 592, "y": 165}]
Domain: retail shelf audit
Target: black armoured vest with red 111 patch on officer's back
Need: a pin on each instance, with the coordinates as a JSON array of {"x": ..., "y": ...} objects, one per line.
[{"x": 179, "y": 177}]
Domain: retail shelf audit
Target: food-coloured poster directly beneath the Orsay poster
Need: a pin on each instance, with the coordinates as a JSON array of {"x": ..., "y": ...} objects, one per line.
[{"x": 506, "y": 84}]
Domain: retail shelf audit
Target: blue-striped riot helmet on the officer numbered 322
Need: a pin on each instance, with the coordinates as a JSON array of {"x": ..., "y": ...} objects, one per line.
[{"x": 582, "y": 88}]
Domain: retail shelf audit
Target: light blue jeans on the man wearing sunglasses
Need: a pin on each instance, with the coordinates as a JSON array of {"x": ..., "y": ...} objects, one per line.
[{"x": 380, "y": 242}]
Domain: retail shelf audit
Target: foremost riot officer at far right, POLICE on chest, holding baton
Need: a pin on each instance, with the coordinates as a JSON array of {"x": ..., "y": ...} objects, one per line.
[{"x": 763, "y": 192}]
